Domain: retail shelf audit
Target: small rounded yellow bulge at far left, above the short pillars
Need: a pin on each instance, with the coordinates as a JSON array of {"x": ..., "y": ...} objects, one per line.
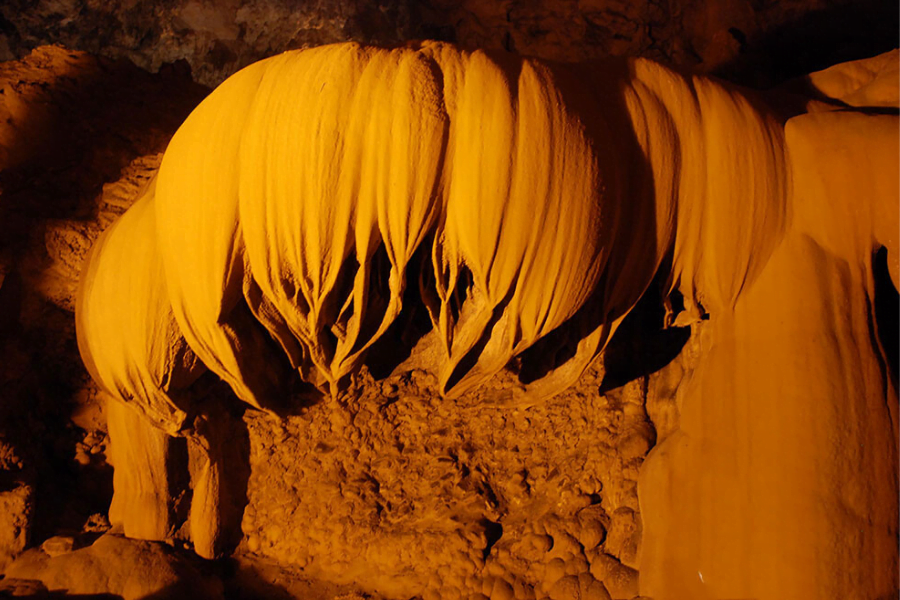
[{"x": 124, "y": 311}]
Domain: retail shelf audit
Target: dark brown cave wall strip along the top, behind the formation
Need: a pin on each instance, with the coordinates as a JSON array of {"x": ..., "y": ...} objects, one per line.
[{"x": 753, "y": 41}]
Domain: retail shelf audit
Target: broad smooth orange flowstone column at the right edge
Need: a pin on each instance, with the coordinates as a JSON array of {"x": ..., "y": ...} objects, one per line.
[{"x": 799, "y": 395}]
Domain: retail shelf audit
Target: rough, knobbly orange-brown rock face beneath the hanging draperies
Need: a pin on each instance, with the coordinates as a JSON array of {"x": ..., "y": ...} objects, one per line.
[{"x": 392, "y": 486}]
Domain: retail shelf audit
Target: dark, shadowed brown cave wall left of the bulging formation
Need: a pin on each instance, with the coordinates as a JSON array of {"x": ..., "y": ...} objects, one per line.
[{"x": 69, "y": 124}]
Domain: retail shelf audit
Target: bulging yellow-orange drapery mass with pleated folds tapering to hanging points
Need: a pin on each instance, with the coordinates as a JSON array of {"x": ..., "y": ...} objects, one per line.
[{"x": 292, "y": 203}]
